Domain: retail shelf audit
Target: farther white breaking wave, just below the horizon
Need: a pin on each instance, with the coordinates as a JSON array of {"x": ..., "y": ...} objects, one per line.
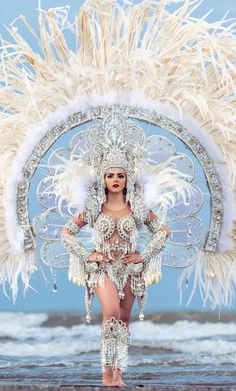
[{"x": 33, "y": 326}]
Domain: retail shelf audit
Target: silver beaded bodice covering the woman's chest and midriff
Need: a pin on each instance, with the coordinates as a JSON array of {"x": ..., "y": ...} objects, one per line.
[{"x": 115, "y": 237}]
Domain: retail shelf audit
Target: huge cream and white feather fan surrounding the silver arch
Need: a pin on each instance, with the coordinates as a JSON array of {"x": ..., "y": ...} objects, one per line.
[{"x": 125, "y": 54}]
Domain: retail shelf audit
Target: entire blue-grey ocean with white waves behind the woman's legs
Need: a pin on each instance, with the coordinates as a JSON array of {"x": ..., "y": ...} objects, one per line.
[{"x": 167, "y": 350}]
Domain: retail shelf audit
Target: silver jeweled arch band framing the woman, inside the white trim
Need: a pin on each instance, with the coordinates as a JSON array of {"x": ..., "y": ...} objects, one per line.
[{"x": 173, "y": 127}]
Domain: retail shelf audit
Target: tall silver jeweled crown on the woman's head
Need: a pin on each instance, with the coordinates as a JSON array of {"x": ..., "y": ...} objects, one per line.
[{"x": 115, "y": 141}]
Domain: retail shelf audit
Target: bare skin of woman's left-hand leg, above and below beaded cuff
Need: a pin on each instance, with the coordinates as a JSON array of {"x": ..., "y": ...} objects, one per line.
[{"x": 109, "y": 301}]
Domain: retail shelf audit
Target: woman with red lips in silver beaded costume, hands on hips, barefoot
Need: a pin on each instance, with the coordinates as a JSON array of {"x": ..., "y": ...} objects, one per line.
[{"x": 120, "y": 272}]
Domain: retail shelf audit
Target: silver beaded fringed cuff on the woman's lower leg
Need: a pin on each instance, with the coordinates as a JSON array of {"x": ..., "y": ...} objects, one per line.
[{"x": 115, "y": 339}]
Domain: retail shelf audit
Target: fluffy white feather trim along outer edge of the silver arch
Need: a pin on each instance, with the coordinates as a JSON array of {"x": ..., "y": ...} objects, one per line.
[{"x": 84, "y": 104}]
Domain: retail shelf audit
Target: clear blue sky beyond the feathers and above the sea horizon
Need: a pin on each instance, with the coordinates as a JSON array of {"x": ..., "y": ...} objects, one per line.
[{"x": 163, "y": 296}]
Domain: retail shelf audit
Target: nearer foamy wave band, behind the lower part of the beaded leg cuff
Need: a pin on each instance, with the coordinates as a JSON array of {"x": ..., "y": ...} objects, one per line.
[{"x": 195, "y": 352}]
